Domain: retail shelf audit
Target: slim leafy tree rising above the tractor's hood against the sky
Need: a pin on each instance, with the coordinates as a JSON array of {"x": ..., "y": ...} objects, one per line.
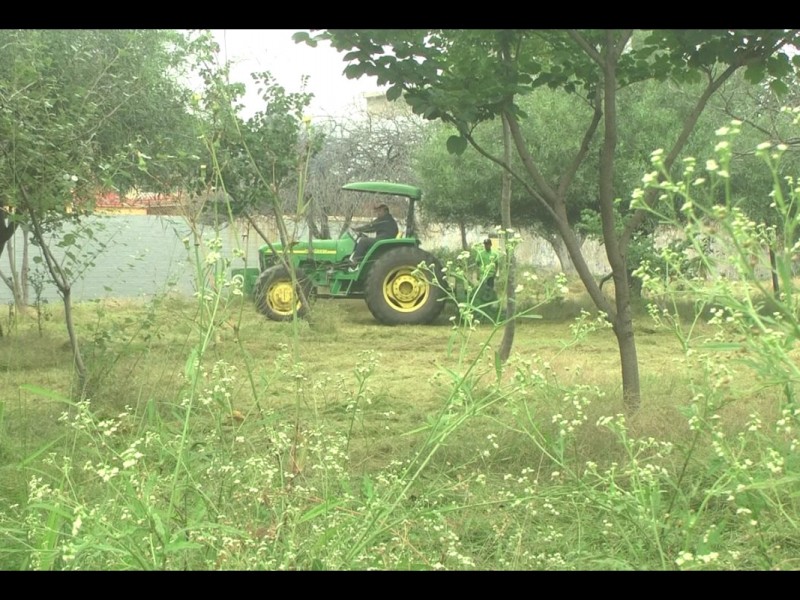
[{"x": 253, "y": 162}]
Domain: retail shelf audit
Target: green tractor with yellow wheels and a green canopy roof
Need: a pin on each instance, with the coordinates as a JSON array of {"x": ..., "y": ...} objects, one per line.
[{"x": 396, "y": 291}]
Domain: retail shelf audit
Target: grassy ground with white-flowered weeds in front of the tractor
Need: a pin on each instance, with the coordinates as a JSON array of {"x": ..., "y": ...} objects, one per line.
[{"x": 337, "y": 443}]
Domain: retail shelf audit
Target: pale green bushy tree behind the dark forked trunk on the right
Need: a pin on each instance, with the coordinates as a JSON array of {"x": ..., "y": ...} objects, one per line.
[{"x": 464, "y": 187}]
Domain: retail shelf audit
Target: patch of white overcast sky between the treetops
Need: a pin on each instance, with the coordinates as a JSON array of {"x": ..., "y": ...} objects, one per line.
[{"x": 273, "y": 50}]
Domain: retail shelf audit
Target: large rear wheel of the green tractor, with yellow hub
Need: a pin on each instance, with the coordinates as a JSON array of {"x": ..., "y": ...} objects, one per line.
[{"x": 398, "y": 293}]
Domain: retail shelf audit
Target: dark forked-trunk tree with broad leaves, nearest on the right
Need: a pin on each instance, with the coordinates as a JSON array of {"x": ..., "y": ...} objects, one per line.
[{"x": 468, "y": 77}]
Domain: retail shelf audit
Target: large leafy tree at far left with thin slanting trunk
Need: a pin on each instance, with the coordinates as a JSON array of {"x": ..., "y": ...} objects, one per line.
[{"x": 83, "y": 111}]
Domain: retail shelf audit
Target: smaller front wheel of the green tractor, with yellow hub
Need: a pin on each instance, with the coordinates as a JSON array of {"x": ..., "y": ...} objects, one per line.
[{"x": 275, "y": 297}]
